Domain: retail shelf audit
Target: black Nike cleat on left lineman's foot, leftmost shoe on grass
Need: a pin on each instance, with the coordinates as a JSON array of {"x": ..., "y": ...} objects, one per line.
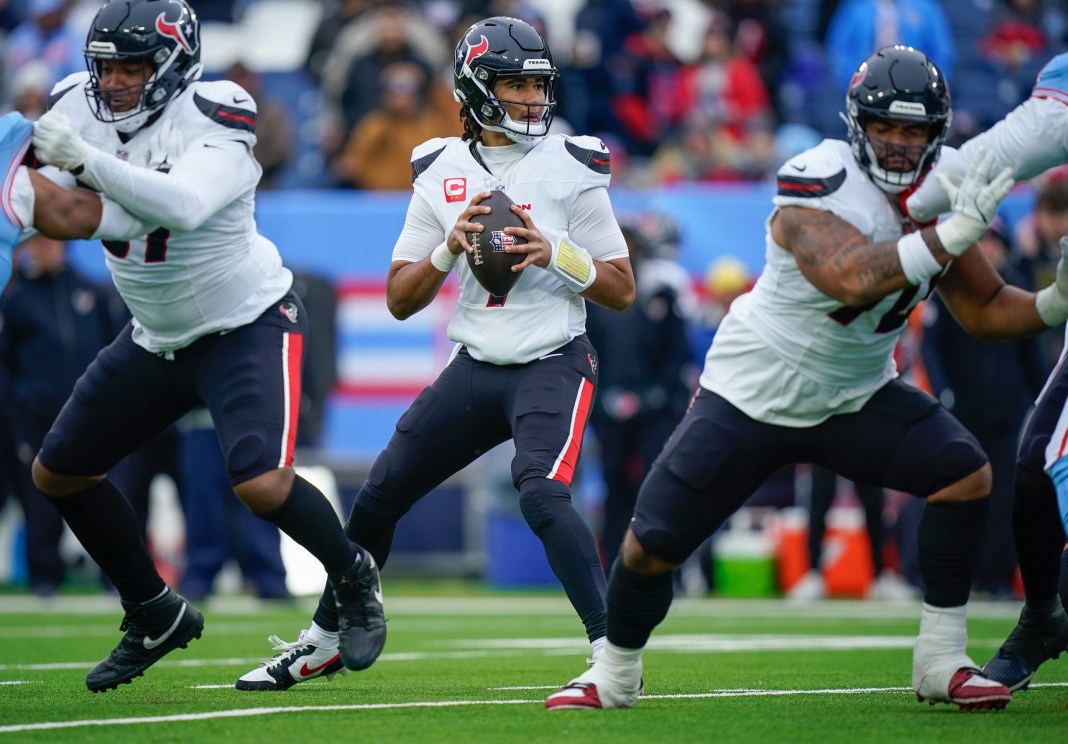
[{"x": 153, "y": 631}]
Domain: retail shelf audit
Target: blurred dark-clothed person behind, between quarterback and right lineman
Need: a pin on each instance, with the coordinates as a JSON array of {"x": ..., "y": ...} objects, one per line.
[{"x": 645, "y": 353}]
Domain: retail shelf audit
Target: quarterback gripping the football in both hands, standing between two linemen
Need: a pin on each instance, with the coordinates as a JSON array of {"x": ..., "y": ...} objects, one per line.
[{"x": 524, "y": 368}]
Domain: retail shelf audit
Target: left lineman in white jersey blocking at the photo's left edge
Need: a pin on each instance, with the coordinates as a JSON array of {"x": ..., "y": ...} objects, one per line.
[{"x": 215, "y": 320}]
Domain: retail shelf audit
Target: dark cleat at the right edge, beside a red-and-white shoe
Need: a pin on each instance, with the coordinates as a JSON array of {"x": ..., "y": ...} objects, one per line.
[{"x": 1033, "y": 642}]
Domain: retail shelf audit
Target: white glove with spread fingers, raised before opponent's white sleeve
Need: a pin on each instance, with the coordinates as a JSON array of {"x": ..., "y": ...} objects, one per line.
[{"x": 975, "y": 202}]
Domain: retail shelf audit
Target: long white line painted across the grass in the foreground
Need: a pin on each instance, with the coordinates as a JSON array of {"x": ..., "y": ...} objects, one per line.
[{"x": 250, "y": 713}]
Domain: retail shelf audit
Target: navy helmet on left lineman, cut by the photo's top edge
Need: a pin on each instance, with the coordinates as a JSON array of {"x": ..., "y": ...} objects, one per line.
[{"x": 164, "y": 36}]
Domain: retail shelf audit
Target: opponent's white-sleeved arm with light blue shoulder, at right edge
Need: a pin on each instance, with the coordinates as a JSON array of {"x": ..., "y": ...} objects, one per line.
[{"x": 1032, "y": 139}]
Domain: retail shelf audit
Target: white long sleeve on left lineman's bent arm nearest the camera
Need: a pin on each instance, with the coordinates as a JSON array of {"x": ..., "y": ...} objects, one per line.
[{"x": 209, "y": 177}]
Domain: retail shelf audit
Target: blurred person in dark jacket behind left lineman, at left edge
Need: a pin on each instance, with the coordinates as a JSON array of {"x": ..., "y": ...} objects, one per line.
[{"x": 53, "y": 323}]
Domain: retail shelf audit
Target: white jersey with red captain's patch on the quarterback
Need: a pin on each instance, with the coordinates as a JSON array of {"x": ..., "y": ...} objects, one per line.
[{"x": 547, "y": 180}]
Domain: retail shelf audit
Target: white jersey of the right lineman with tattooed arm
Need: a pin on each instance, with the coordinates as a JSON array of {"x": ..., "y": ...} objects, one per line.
[{"x": 789, "y": 355}]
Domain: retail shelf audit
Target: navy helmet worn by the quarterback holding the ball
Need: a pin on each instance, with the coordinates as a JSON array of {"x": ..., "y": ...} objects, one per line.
[{"x": 504, "y": 48}]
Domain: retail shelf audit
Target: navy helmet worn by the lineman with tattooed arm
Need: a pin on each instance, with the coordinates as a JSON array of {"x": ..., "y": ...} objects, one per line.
[{"x": 898, "y": 84}]
